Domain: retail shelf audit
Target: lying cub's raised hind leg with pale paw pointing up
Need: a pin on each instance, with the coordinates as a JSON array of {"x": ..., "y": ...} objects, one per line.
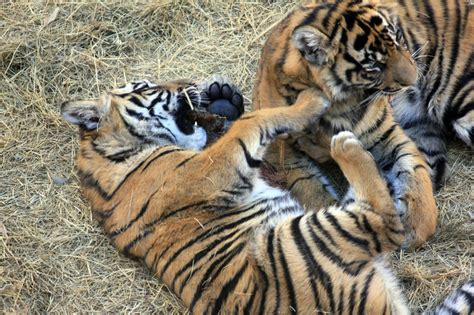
[{"x": 369, "y": 187}]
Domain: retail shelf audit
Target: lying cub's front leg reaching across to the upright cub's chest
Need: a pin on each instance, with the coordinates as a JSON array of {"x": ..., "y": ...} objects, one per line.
[{"x": 243, "y": 146}]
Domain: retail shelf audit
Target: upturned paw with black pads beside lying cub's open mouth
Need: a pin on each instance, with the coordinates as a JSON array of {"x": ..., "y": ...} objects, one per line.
[{"x": 220, "y": 97}]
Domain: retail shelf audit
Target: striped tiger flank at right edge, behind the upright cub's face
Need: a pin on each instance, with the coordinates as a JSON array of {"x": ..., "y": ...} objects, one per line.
[{"x": 440, "y": 35}]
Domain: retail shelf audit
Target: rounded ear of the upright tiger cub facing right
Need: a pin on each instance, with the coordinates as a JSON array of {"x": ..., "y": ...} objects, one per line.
[{"x": 314, "y": 45}]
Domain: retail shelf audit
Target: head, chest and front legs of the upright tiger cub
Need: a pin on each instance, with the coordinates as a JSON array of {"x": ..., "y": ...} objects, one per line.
[{"x": 356, "y": 52}]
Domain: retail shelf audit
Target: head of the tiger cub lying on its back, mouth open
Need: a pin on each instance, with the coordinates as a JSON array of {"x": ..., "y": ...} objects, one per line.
[{"x": 142, "y": 113}]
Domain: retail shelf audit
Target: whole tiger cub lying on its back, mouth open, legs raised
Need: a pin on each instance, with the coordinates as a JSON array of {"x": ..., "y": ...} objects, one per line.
[{"x": 204, "y": 221}]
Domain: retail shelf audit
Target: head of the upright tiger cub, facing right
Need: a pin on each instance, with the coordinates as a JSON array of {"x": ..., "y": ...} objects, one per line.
[{"x": 356, "y": 46}]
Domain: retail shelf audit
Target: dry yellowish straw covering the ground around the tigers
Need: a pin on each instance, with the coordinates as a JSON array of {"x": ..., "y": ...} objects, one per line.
[{"x": 53, "y": 256}]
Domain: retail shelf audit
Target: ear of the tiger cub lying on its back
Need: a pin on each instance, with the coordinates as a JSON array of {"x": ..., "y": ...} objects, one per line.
[{"x": 85, "y": 114}]
